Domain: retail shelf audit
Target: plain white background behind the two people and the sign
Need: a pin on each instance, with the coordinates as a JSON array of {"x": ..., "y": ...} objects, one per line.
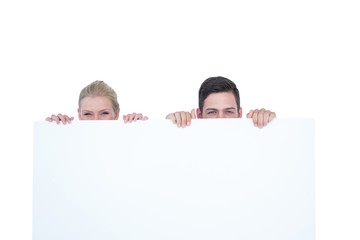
[{"x": 298, "y": 58}]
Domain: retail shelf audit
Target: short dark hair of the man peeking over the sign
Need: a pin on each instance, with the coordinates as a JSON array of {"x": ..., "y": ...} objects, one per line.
[{"x": 216, "y": 85}]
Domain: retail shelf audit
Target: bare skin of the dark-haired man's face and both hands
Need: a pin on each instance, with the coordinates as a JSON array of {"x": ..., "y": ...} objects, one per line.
[{"x": 221, "y": 105}]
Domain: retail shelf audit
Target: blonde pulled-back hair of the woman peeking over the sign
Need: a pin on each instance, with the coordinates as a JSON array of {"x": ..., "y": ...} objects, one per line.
[{"x": 100, "y": 88}]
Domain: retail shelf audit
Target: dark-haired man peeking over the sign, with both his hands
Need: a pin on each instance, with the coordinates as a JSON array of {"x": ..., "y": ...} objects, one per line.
[{"x": 219, "y": 98}]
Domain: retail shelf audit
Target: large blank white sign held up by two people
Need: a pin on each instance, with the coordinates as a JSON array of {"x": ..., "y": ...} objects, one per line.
[{"x": 217, "y": 179}]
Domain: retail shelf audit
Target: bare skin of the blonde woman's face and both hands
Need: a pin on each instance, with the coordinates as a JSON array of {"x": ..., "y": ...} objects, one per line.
[{"x": 96, "y": 108}]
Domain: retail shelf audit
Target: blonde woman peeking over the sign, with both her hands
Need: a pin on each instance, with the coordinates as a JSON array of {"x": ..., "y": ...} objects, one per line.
[{"x": 97, "y": 101}]
